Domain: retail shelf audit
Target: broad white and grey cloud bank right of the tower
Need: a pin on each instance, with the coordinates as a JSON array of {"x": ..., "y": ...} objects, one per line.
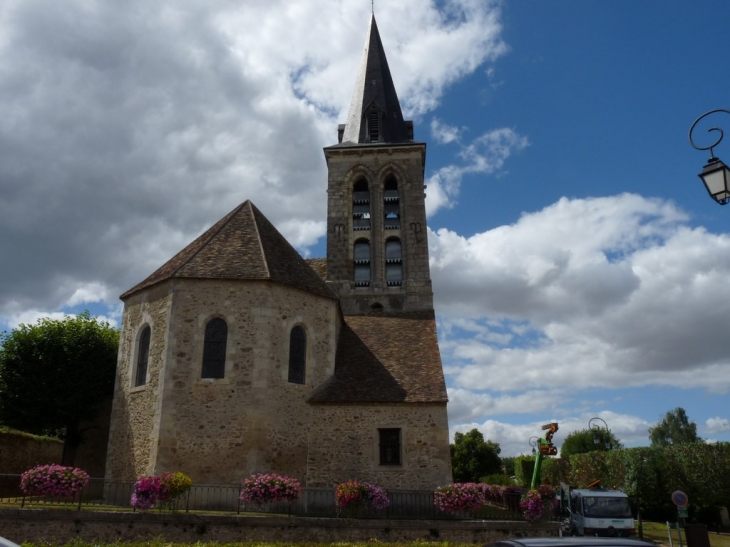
[{"x": 604, "y": 292}]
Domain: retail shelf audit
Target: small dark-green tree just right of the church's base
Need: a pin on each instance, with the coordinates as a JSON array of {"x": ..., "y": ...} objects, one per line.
[{"x": 472, "y": 457}]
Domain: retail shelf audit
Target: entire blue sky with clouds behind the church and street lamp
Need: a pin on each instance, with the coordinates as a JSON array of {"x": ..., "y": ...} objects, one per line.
[{"x": 577, "y": 261}]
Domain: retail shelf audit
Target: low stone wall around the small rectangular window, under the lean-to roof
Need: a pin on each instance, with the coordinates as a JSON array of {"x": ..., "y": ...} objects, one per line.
[{"x": 346, "y": 445}]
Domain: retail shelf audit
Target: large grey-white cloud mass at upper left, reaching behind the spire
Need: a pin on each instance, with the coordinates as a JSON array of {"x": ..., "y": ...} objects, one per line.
[{"x": 128, "y": 128}]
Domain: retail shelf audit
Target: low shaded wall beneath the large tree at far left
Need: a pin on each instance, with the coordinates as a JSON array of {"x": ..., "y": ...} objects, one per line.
[{"x": 21, "y": 451}]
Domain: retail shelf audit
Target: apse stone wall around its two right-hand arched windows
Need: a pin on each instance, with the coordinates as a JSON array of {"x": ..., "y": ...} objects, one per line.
[{"x": 253, "y": 420}]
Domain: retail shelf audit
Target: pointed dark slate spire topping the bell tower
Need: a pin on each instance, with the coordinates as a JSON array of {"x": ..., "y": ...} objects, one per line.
[{"x": 375, "y": 114}]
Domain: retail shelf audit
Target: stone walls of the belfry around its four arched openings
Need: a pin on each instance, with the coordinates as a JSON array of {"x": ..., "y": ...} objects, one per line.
[{"x": 375, "y": 164}]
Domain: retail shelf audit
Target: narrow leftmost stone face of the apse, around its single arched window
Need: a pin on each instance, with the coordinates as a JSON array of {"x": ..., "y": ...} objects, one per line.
[{"x": 135, "y": 411}]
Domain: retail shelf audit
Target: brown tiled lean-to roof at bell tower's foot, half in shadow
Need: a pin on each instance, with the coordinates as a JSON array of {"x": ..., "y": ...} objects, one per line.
[{"x": 386, "y": 358}]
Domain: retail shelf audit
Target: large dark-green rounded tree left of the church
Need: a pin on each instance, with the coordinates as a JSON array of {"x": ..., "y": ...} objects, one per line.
[{"x": 55, "y": 374}]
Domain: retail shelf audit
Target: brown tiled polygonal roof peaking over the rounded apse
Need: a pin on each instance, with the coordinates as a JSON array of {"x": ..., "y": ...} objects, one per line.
[{"x": 242, "y": 245}]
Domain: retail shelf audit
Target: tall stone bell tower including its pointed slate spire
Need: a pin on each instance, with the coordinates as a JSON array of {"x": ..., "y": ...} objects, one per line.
[{"x": 377, "y": 246}]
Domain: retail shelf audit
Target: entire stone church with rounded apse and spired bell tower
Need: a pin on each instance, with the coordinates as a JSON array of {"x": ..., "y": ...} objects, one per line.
[{"x": 238, "y": 356}]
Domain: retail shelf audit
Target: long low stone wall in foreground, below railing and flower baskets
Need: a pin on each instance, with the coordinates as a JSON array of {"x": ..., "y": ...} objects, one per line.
[{"x": 36, "y": 525}]
